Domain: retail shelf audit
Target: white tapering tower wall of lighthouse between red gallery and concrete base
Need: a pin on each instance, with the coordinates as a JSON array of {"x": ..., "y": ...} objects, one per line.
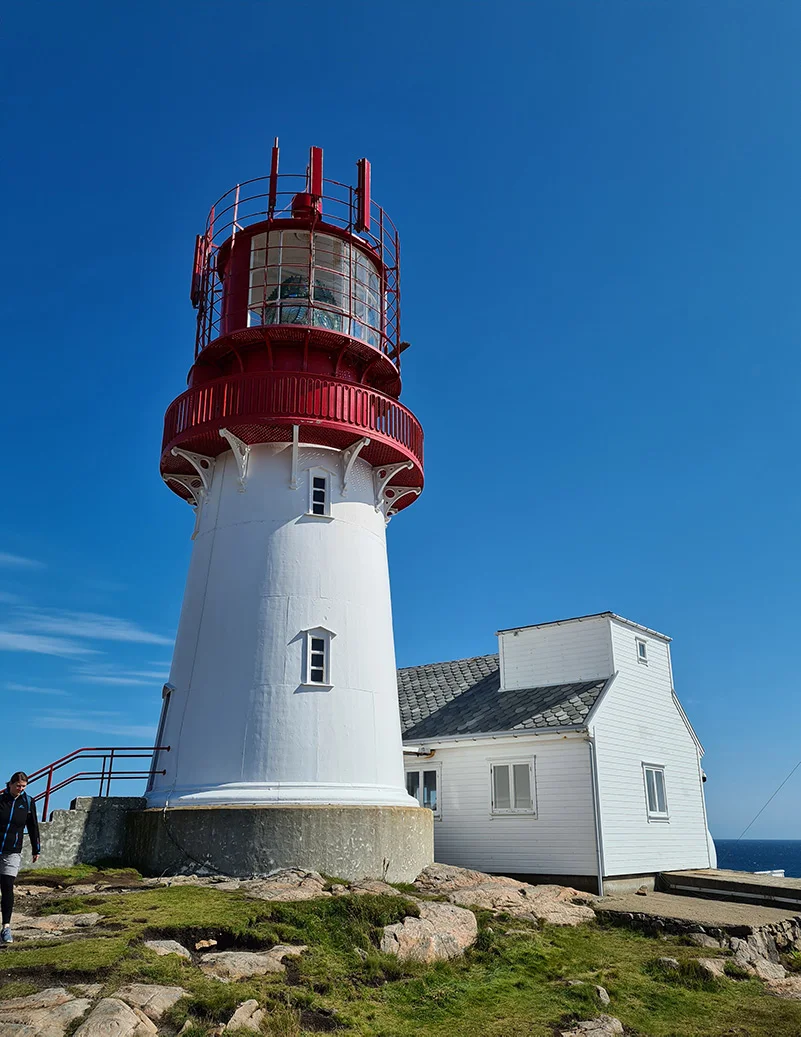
[{"x": 243, "y": 725}]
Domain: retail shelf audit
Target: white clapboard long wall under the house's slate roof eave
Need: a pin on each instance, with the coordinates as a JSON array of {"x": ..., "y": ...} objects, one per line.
[{"x": 560, "y": 840}]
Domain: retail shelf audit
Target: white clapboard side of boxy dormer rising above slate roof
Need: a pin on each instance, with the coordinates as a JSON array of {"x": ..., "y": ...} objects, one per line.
[{"x": 557, "y": 654}]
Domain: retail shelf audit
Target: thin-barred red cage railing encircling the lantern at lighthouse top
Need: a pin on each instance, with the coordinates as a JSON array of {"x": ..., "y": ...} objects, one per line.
[{"x": 268, "y": 200}]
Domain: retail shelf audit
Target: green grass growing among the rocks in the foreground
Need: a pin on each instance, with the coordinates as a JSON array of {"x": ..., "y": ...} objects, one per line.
[{"x": 510, "y": 986}]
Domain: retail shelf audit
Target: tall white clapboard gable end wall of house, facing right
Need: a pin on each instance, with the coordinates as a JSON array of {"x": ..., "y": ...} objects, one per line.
[{"x": 639, "y": 723}]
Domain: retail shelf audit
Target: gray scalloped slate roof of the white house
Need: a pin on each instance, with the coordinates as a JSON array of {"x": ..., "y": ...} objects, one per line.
[{"x": 464, "y": 697}]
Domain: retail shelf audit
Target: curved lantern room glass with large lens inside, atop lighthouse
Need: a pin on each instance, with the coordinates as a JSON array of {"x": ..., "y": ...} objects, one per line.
[{"x": 346, "y": 285}]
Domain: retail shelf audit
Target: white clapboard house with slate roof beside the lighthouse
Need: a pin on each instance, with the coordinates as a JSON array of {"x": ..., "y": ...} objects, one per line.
[{"x": 567, "y": 755}]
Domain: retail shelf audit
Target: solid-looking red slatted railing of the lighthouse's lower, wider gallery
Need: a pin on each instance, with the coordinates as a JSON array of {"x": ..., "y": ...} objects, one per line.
[{"x": 296, "y": 399}]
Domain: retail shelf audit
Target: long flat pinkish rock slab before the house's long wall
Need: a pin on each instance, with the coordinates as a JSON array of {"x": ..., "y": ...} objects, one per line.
[{"x": 557, "y": 905}]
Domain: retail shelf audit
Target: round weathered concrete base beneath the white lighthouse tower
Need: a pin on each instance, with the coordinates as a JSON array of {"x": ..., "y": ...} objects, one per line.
[{"x": 395, "y": 844}]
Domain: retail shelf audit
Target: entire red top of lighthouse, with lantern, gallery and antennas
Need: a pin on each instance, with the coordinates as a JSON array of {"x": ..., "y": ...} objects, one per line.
[{"x": 296, "y": 283}]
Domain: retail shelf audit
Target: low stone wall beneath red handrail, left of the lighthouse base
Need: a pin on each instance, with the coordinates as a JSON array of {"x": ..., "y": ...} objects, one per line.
[{"x": 93, "y": 830}]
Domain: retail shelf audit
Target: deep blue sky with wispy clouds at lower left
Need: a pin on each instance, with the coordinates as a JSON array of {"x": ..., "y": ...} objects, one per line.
[{"x": 600, "y": 220}]
